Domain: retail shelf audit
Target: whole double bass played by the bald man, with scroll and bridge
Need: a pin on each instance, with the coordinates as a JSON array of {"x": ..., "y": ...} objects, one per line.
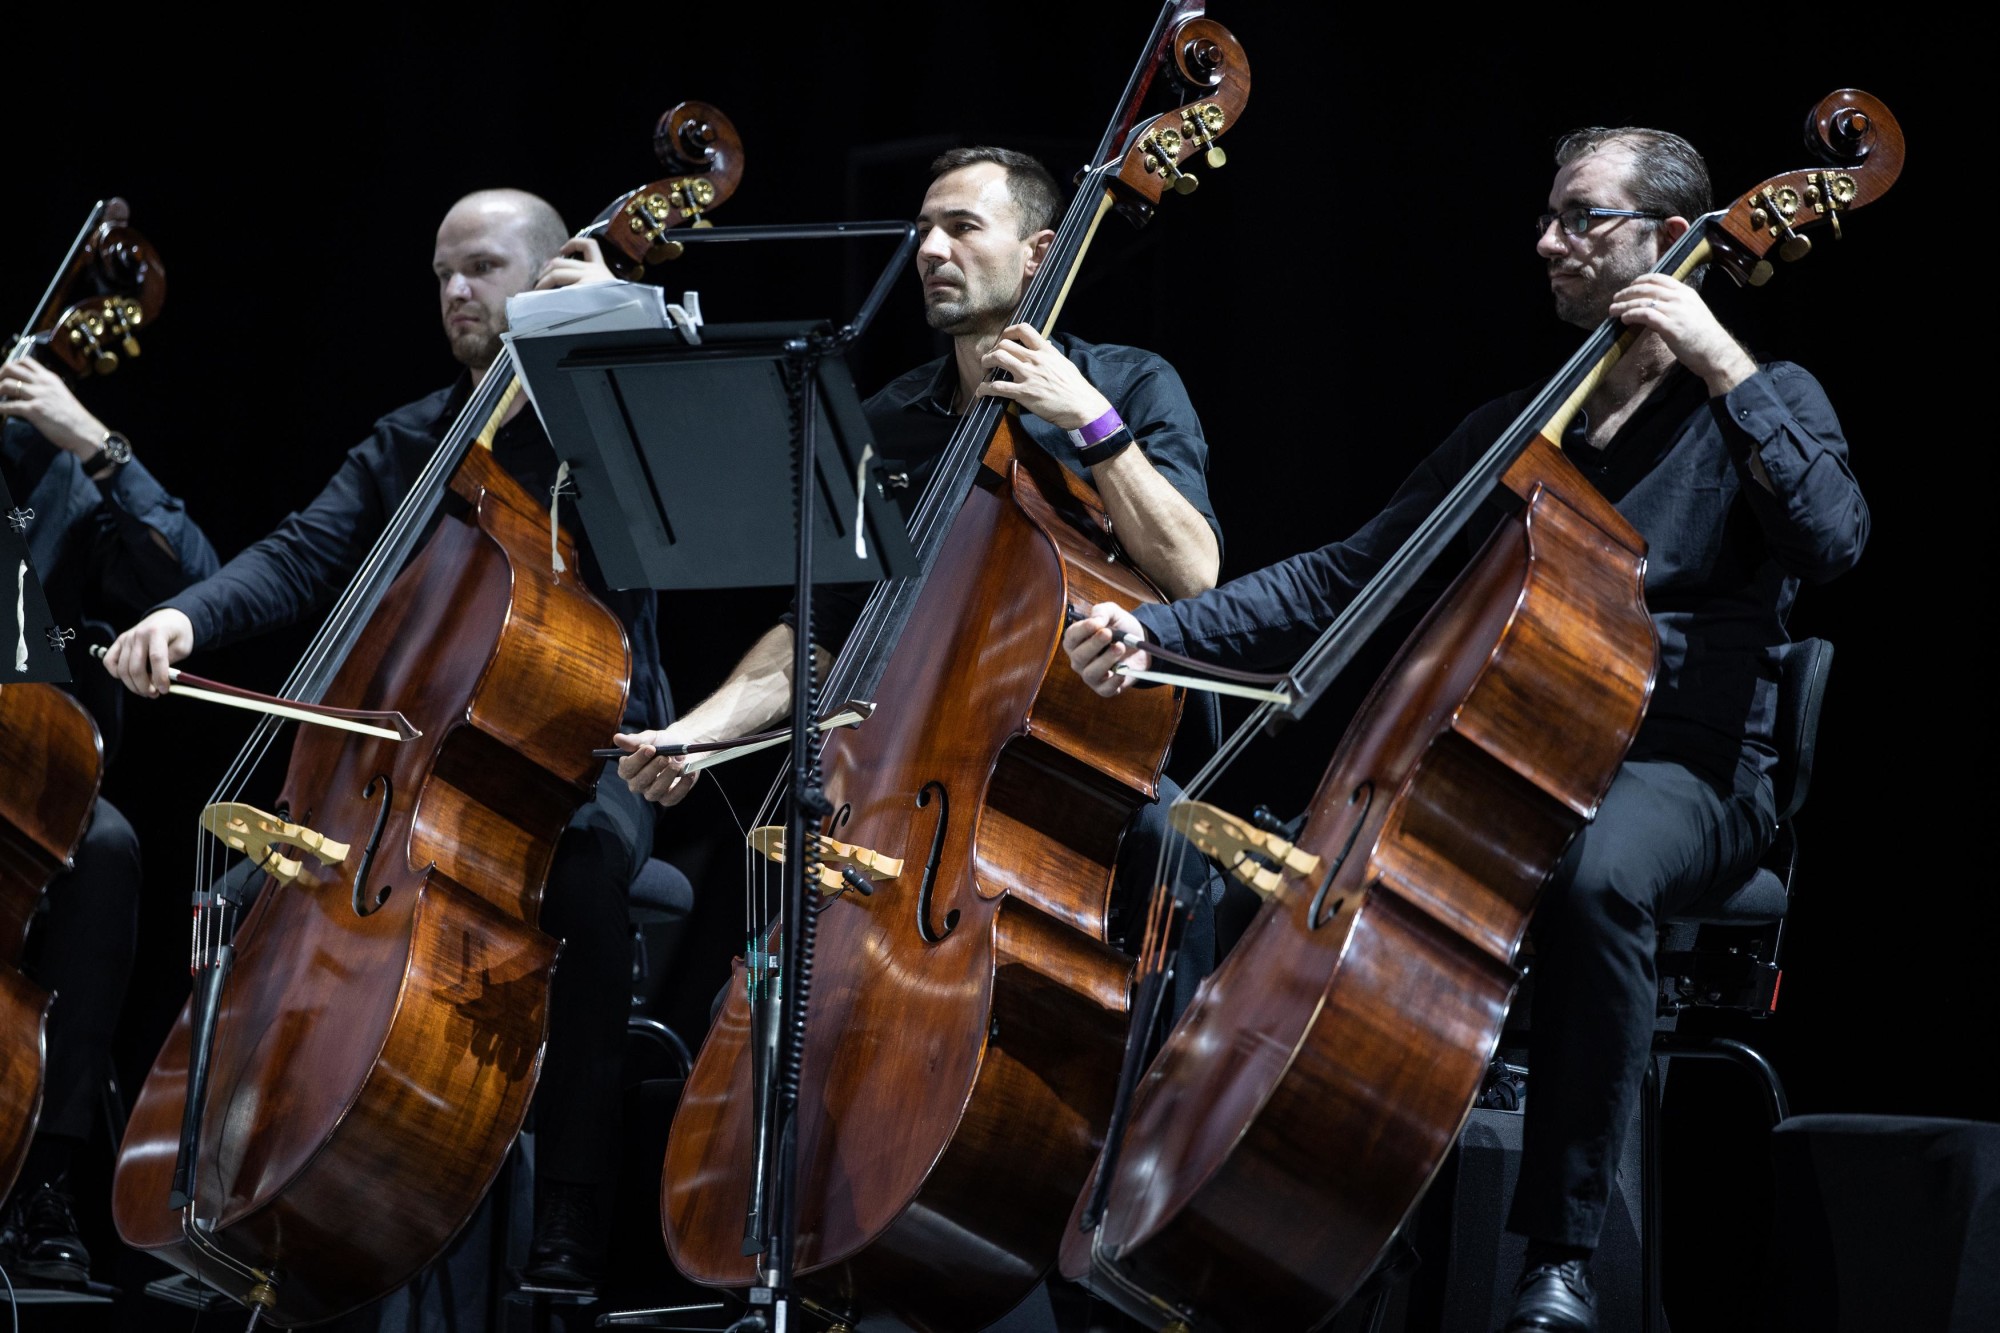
[{"x": 361, "y": 1054}]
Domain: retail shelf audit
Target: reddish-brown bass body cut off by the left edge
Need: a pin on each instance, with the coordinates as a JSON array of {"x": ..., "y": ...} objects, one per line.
[{"x": 53, "y": 760}]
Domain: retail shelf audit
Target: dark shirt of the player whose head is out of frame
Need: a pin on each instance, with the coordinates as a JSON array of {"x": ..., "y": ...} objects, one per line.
[{"x": 105, "y": 551}]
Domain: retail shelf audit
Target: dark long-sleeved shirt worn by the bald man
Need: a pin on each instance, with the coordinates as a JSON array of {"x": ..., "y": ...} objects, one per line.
[{"x": 311, "y": 557}]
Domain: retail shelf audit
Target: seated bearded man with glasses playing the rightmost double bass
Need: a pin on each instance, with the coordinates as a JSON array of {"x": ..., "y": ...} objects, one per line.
[{"x": 1737, "y": 475}]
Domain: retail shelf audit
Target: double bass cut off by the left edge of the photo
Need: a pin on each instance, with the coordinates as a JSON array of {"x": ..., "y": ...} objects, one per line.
[{"x": 107, "y": 287}]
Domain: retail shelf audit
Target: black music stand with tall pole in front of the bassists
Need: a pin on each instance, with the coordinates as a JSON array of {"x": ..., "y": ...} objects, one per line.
[{"x": 645, "y": 421}]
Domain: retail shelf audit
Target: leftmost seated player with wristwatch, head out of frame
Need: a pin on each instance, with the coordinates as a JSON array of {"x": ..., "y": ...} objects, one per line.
[{"x": 107, "y": 541}]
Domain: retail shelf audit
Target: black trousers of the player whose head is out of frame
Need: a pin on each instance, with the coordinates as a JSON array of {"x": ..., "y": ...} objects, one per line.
[{"x": 81, "y": 948}]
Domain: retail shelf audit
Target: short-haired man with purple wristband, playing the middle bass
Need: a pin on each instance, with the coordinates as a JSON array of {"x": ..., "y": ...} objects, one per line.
[{"x": 1111, "y": 413}]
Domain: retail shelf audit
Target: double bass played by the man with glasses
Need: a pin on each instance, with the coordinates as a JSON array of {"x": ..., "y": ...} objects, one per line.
[{"x": 1311, "y": 1092}]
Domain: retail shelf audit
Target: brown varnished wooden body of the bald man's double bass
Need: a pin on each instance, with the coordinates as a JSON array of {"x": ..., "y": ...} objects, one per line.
[{"x": 371, "y": 1072}]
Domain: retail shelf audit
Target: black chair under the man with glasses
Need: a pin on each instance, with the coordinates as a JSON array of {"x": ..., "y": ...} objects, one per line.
[{"x": 1723, "y": 952}]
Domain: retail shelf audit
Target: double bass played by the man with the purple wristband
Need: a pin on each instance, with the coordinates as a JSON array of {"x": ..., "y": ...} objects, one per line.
[{"x": 965, "y": 1016}]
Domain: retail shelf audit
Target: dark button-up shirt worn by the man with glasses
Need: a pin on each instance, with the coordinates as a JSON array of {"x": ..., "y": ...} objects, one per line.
[{"x": 1723, "y": 565}]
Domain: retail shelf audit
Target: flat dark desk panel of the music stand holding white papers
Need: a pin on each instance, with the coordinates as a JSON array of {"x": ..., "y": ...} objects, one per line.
[{"x": 683, "y": 457}]
